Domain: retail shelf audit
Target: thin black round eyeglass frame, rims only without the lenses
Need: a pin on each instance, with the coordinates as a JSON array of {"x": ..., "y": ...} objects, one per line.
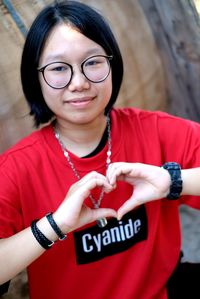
[{"x": 42, "y": 69}]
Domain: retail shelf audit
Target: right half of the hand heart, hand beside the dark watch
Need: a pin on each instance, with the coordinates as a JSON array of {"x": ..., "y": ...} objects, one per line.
[{"x": 150, "y": 183}]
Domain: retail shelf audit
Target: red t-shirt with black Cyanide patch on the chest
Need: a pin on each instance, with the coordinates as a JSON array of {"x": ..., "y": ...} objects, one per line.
[{"x": 129, "y": 259}]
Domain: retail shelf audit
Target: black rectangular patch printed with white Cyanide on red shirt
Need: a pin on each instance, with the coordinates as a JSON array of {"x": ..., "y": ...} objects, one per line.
[{"x": 95, "y": 243}]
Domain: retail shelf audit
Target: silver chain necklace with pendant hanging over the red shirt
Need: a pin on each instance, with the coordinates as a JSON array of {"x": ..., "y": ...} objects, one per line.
[{"x": 101, "y": 222}]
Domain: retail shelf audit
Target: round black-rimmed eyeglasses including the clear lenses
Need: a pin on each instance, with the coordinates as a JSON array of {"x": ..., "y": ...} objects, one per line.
[{"x": 59, "y": 74}]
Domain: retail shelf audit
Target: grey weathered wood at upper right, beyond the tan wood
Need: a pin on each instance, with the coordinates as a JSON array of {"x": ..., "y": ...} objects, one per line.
[{"x": 176, "y": 28}]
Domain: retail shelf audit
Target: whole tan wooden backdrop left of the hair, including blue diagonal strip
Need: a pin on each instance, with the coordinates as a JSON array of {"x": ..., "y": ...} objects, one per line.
[{"x": 15, "y": 17}]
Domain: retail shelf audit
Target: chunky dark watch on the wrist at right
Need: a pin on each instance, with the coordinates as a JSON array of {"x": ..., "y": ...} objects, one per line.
[{"x": 176, "y": 186}]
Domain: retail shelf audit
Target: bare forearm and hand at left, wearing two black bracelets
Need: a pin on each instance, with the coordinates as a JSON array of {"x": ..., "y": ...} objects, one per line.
[{"x": 21, "y": 249}]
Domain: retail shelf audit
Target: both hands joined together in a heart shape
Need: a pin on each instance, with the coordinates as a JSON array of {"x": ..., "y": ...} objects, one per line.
[{"x": 150, "y": 183}]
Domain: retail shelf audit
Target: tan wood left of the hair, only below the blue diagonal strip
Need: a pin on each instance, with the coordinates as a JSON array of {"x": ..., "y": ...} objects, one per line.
[{"x": 13, "y": 123}]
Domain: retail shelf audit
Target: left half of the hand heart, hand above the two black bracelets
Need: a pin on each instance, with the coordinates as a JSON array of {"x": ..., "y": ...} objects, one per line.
[{"x": 72, "y": 213}]
